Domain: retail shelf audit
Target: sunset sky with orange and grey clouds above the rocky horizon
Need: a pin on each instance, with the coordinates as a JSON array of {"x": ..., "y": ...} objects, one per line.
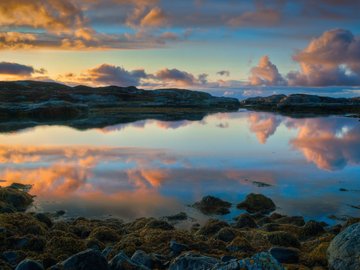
[{"x": 195, "y": 44}]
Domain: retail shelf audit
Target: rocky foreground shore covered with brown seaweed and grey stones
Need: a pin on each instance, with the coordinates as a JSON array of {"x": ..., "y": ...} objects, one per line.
[{"x": 257, "y": 239}]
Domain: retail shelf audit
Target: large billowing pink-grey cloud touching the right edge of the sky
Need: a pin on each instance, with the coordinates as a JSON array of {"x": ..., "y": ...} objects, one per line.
[{"x": 331, "y": 59}]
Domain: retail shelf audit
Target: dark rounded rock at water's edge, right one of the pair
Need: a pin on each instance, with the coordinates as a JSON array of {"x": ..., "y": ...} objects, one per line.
[{"x": 254, "y": 203}]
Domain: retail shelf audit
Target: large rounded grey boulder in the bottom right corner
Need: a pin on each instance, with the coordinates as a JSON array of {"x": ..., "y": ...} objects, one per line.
[{"x": 344, "y": 250}]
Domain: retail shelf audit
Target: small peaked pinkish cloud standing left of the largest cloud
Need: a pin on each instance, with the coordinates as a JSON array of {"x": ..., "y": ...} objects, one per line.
[{"x": 266, "y": 73}]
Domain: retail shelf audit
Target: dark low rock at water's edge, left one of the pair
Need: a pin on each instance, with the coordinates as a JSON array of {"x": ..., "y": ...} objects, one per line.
[{"x": 210, "y": 205}]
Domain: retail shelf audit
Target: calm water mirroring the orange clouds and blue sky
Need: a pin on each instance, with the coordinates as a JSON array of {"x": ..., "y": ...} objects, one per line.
[{"x": 155, "y": 168}]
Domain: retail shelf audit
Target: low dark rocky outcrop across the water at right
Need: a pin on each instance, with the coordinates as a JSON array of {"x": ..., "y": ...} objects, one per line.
[{"x": 302, "y": 103}]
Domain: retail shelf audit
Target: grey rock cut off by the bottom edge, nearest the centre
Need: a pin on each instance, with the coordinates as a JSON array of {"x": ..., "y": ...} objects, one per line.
[{"x": 189, "y": 261}]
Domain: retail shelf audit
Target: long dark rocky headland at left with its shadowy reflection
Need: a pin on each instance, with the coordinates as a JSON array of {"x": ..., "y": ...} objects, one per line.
[{"x": 29, "y": 103}]
